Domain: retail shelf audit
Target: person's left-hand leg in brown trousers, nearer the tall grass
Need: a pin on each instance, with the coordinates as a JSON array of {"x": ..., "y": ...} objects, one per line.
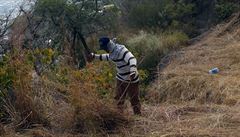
[{"x": 120, "y": 96}]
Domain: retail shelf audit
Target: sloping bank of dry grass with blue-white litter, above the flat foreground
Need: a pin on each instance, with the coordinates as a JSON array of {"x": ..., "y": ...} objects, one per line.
[{"x": 186, "y": 77}]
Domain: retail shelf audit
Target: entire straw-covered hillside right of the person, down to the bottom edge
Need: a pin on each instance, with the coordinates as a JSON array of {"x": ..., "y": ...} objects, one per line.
[{"x": 186, "y": 100}]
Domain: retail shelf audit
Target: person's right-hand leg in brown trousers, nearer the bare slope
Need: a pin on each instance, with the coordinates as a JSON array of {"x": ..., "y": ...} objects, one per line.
[{"x": 133, "y": 93}]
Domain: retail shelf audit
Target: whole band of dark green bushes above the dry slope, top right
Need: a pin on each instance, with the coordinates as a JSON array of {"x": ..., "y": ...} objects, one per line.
[{"x": 188, "y": 16}]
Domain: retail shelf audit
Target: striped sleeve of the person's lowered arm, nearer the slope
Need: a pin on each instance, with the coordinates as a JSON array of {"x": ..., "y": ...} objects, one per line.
[{"x": 132, "y": 61}]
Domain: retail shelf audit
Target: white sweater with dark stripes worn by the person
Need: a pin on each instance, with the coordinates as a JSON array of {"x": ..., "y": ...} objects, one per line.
[{"x": 125, "y": 62}]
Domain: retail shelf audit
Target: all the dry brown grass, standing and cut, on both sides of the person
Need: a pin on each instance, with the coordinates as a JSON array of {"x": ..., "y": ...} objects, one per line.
[{"x": 184, "y": 101}]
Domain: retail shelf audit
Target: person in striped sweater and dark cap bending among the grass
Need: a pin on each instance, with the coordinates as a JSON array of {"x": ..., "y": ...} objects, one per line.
[{"x": 127, "y": 73}]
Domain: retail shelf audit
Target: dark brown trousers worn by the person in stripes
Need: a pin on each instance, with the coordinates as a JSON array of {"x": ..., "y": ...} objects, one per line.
[{"x": 132, "y": 89}]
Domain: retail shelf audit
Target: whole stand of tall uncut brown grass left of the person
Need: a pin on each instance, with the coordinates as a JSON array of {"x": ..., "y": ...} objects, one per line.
[{"x": 45, "y": 107}]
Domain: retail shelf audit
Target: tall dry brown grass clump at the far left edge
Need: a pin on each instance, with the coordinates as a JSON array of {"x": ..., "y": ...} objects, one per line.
[{"x": 23, "y": 105}]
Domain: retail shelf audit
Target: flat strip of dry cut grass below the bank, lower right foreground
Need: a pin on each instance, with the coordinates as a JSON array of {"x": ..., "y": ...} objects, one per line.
[{"x": 190, "y": 120}]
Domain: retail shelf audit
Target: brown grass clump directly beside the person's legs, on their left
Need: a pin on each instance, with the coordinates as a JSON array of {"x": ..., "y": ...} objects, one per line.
[{"x": 93, "y": 116}]
